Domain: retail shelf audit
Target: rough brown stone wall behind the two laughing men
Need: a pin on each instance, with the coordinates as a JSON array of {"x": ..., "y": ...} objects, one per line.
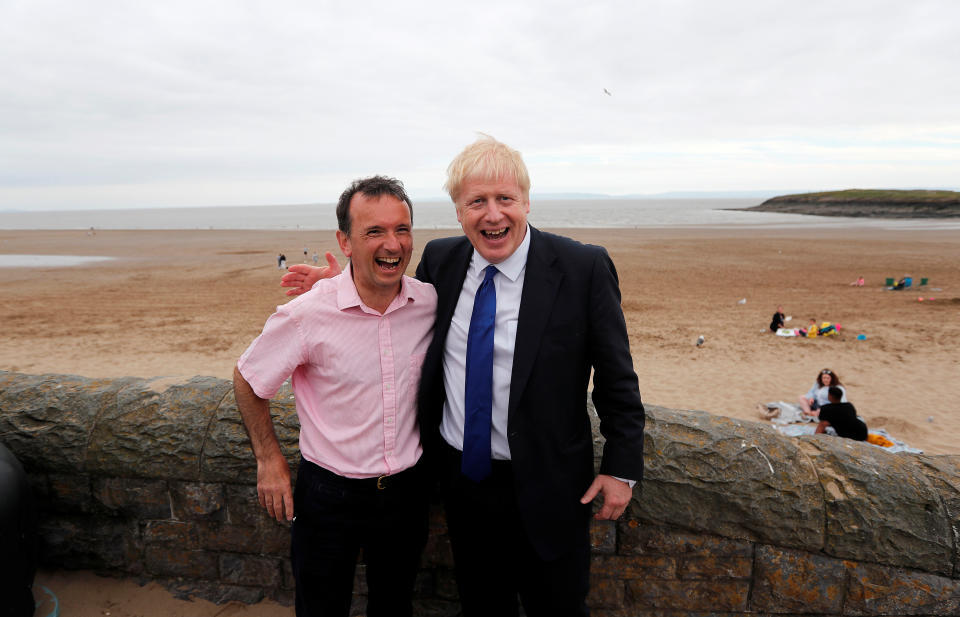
[{"x": 156, "y": 480}]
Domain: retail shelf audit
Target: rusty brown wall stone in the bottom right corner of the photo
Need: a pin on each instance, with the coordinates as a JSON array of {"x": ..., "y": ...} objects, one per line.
[{"x": 881, "y": 590}]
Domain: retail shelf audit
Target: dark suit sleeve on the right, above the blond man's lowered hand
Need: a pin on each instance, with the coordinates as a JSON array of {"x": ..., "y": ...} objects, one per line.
[{"x": 616, "y": 393}]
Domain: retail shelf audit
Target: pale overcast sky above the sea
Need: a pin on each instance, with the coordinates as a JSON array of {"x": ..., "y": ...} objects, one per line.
[{"x": 175, "y": 103}]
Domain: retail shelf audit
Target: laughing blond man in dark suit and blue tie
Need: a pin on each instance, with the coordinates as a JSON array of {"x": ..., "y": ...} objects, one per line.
[{"x": 522, "y": 318}]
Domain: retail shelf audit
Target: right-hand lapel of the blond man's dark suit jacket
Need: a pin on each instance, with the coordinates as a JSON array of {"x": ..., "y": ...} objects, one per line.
[{"x": 541, "y": 283}]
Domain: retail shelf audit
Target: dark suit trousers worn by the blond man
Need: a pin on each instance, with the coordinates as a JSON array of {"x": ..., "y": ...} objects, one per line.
[{"x": 494, "y": 559}]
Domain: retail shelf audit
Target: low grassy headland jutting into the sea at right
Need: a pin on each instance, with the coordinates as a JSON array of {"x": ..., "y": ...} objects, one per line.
[{"x": 868, "y": 203}]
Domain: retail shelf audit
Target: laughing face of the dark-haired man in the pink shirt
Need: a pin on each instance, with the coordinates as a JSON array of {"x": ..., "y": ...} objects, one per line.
[{"x": 379, "y": 247}]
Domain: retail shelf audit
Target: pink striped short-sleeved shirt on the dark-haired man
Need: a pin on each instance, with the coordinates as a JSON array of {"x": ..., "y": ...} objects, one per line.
[{"x": 355, "y": 373}]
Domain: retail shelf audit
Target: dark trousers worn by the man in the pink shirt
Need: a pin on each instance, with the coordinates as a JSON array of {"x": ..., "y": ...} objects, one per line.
[{"x": 336, "y": 519}]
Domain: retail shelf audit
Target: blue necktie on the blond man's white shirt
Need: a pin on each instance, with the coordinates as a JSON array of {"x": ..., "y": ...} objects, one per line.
[{"x": 478, "y": 397}]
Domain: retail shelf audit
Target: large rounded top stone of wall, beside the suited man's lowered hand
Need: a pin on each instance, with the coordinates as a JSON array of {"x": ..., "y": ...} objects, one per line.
[{"x": 728, "y": 477}]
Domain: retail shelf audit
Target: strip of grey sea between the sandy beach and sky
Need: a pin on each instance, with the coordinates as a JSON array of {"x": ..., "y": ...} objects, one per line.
[{"x": 553, "y": 213}]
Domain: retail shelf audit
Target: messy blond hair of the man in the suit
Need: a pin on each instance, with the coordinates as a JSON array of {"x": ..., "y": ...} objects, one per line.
[{"x": 489, "y": 160}]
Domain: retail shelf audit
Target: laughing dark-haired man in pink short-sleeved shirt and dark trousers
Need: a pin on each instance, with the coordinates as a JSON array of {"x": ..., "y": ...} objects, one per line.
[{"x": 354, "y": 346}]
